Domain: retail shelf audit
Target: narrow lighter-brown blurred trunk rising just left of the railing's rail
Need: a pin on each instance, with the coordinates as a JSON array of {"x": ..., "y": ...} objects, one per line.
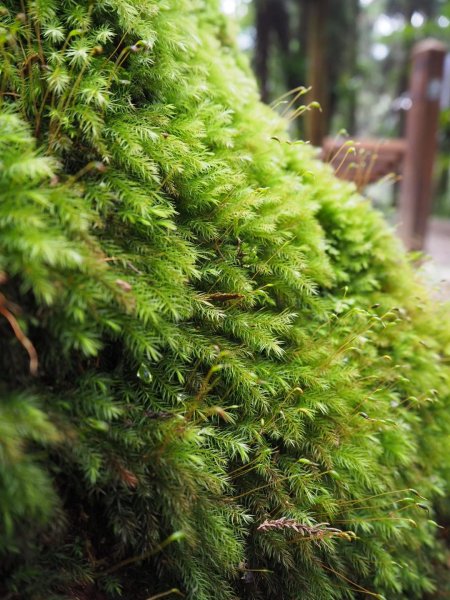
[{"x": 317, "y": 76}]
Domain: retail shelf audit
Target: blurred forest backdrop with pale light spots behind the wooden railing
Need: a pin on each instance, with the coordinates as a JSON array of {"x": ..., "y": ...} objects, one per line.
[{"x": 356, "y": 57}]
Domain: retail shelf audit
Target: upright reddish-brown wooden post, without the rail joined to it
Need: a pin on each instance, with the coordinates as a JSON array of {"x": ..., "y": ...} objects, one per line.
[{"x": 421, "y": 142}]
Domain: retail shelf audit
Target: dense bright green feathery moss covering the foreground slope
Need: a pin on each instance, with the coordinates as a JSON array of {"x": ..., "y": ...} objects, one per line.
[{"x": 202, "y": 331}]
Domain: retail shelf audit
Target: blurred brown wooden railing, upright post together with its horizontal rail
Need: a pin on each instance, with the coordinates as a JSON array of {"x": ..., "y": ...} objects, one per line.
[{"x": 410, "y": 159}]
